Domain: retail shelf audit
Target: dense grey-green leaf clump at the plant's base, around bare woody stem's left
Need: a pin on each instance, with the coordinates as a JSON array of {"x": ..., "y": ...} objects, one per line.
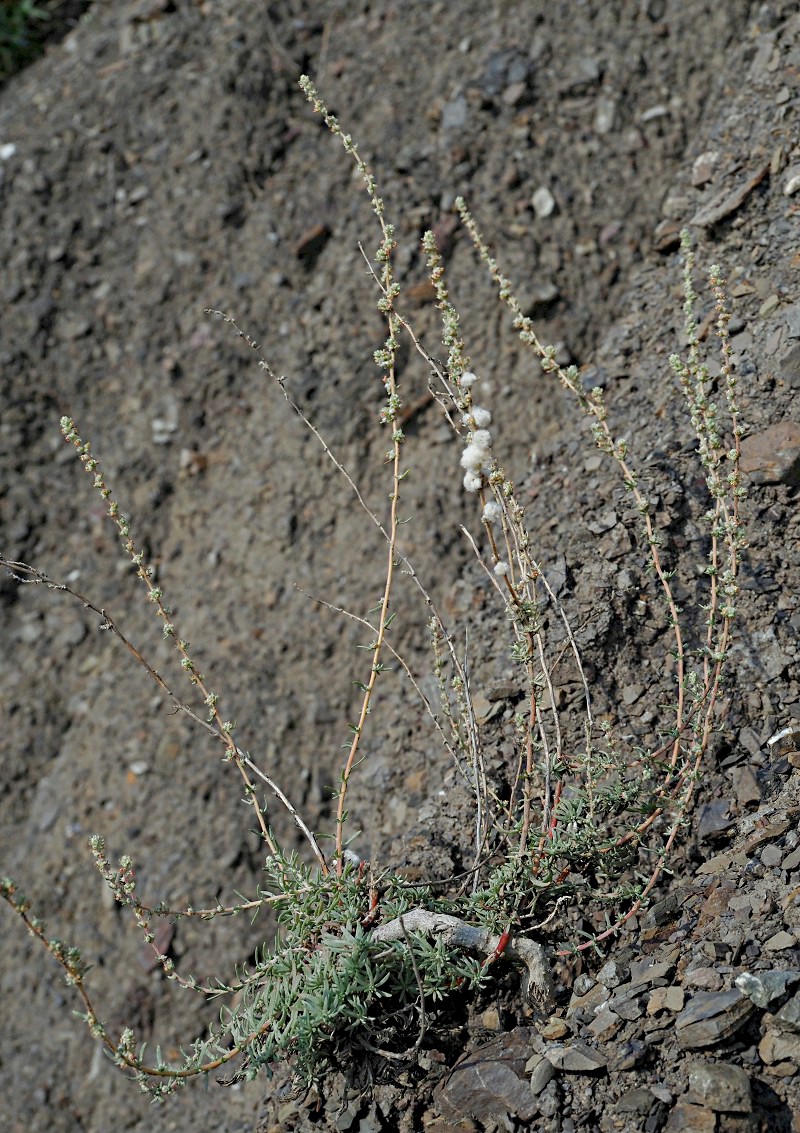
[{"x": 324, "y": 989}]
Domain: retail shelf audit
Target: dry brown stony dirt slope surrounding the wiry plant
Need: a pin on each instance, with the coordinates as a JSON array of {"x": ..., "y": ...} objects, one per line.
[{"x": 160, "y": 161}]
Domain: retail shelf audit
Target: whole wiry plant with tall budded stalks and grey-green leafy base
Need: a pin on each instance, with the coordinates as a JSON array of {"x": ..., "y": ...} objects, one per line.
[{"x": 597, "y": 822}]
